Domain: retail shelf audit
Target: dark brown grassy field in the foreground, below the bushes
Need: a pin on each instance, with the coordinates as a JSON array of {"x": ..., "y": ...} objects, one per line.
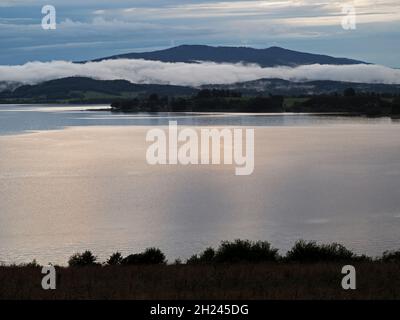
[{"x": 375, "y": 280}]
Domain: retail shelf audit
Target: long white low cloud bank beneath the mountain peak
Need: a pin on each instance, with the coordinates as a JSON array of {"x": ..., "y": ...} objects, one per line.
[{"x": 156, "y": 72}]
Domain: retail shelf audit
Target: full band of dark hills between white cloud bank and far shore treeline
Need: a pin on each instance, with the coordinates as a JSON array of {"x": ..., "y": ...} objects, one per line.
[{"x": 87, "y": 90}]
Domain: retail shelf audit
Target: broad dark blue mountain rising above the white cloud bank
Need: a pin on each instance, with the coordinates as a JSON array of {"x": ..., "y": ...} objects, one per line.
[{"x": 270, "y": 57}]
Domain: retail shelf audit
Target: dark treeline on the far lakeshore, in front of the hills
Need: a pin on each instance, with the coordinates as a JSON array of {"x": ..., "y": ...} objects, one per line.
[{"x": 214, "y": 100}]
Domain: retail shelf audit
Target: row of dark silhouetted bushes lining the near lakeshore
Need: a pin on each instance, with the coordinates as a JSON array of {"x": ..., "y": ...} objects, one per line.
[{"x": 236, "y": 252}]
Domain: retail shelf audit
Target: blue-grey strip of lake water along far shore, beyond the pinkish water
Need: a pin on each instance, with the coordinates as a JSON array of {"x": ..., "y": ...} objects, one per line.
[{"x": 25, "y": 118}]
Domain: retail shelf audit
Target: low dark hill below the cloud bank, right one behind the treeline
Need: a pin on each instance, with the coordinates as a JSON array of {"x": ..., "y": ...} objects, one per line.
[{"x": 287, "y": 88}]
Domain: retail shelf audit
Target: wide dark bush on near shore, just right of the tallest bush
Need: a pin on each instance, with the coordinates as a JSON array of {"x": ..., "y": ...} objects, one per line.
[{"x": 312, "y": 252}]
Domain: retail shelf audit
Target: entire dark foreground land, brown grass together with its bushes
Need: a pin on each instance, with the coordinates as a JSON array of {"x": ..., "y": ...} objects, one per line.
[{"x": 235, "y": 270}]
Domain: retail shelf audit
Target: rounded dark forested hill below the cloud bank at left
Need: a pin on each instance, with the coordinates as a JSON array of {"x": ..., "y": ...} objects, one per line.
[{"x": 81, "y": 89}]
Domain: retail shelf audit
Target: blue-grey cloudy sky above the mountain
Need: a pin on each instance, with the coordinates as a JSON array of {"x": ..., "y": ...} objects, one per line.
[{"x": 91, "y": 29}]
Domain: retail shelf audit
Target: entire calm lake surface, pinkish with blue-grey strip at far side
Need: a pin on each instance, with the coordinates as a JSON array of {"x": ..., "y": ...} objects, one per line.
[{"x": 82, "y": 183}]
